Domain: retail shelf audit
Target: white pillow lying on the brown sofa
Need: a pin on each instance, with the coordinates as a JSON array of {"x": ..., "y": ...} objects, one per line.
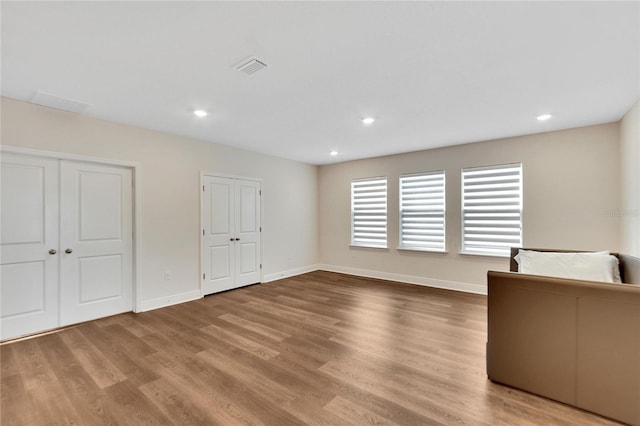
[{"x": 592, "y": 266}]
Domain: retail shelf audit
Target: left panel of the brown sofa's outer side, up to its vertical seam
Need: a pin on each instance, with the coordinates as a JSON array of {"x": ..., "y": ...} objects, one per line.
[{"x": 531, "y": 335}]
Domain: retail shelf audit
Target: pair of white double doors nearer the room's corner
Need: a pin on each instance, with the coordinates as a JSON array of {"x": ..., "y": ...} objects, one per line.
[{"x": 230, "y": 234}]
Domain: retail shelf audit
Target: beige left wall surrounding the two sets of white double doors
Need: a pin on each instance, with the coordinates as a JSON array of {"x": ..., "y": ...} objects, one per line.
[{"x": 171, "y": 166}]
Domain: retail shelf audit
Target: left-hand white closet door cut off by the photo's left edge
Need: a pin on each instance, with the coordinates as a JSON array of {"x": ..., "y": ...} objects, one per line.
[{"x": 29, "y": 245}]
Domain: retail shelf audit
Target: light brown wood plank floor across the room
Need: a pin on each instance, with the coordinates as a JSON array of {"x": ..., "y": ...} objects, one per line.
[{"x": 320, "y": 348}]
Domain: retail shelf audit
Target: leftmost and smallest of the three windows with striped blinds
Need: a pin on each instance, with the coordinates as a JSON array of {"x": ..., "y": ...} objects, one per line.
[{"x": 369, "y": 212}]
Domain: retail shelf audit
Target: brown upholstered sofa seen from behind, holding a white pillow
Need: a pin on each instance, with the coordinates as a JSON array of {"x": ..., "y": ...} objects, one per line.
[{"x": 574, "y": 341}]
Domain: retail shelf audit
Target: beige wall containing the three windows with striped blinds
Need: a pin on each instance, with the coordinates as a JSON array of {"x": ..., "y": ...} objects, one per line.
[{"x": 571, "y": 193}]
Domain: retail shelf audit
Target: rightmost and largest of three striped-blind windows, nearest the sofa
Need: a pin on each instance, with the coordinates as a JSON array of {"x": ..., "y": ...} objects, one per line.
[{"x": 492, "y": 209}]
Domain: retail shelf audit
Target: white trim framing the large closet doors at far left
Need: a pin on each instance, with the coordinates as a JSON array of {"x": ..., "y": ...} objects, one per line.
[{"x": 136, "y": 200}]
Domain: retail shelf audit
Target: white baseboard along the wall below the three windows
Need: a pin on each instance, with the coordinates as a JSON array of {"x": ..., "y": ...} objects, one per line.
[{"x": 409, "y": 279}]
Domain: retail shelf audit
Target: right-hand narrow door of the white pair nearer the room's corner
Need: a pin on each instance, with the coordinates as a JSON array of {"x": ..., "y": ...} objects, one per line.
[{"x": 247, "y": 232}]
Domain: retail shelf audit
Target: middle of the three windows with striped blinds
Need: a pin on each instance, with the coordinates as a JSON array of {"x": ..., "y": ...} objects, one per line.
[{"x": 422, "y": 211}]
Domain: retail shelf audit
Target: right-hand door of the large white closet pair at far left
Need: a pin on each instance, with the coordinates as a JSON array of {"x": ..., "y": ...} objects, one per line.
[{"x": 95, "y": 241}]
